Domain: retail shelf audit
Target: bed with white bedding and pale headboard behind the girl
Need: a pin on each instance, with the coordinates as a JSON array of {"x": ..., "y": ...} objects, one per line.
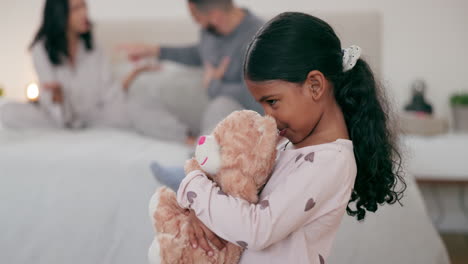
[{"x": 82, "y": 197}]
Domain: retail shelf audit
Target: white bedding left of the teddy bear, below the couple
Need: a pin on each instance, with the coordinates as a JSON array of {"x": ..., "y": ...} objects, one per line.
[{"x": 78, "y": 197}]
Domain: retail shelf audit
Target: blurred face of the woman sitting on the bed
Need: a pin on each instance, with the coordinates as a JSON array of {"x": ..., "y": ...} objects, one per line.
[{"x": 78, "y": 21}]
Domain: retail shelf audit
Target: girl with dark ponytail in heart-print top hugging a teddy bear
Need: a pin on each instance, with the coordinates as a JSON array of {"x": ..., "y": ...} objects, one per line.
[{"x": 340, "y": 149}]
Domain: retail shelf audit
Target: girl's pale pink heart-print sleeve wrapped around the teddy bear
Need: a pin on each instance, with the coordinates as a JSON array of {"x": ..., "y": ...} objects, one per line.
[{"x": 317, "y": 184}]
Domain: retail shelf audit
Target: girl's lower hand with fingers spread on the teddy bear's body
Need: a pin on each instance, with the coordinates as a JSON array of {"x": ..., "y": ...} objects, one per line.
[{"x": 199, "y": 235}]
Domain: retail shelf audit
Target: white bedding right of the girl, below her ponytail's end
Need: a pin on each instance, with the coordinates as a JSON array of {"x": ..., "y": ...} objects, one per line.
[{"x": 394, "y": 234}]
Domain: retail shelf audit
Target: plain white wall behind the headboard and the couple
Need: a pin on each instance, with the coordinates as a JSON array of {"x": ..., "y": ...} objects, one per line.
[{"x": 422, "y": 38}]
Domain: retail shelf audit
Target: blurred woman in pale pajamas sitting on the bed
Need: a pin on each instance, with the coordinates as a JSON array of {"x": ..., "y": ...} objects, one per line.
[{"x": 77, "y": 88}]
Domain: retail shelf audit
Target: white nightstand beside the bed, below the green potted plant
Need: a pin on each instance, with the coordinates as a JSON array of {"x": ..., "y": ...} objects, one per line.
[{"x": 440, "y": 166}]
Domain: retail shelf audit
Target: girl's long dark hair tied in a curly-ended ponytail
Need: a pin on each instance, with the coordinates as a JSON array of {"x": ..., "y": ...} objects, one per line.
[{"x": 293, "y": 44}]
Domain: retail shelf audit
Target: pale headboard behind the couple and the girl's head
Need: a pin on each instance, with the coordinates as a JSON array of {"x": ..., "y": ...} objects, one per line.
[{"x": 360, "y": 28}]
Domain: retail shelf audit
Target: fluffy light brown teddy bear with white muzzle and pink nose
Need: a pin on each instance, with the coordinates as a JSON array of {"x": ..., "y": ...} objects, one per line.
[{"x": 239, "y": 157}]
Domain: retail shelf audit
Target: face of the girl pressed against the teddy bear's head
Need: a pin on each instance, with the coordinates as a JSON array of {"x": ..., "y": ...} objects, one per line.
[{"x": 291, "y": 105}]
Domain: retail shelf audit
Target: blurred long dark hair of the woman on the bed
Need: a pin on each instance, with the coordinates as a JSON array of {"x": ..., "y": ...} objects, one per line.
[{"x": 53, "y": 31}]
